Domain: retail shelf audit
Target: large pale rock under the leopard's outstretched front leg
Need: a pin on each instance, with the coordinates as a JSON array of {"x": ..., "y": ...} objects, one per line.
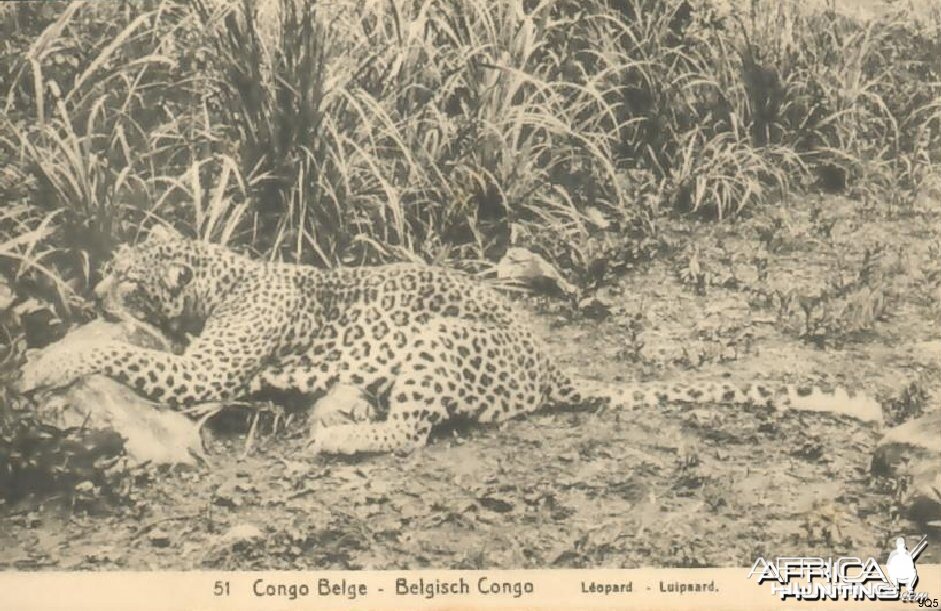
[{"x": 151, "y": 433}]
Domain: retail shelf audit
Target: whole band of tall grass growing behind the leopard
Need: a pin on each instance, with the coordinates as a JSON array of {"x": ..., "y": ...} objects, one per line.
[{"x": 350, "y": 131}]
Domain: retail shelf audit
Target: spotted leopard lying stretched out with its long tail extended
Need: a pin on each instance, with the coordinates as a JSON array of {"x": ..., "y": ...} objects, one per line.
[{"x": 432, "y": 343}]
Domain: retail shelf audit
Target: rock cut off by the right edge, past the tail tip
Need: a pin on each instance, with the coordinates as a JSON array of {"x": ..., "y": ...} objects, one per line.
[{"x": 913, "y": 450}]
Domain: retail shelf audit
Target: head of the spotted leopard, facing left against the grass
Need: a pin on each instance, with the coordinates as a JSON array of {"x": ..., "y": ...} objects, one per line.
[{"x": 155, "y": 280}]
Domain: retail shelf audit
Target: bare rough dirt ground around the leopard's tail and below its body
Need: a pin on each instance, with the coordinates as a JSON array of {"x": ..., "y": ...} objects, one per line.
[{"x": 673, "y": 486}]
